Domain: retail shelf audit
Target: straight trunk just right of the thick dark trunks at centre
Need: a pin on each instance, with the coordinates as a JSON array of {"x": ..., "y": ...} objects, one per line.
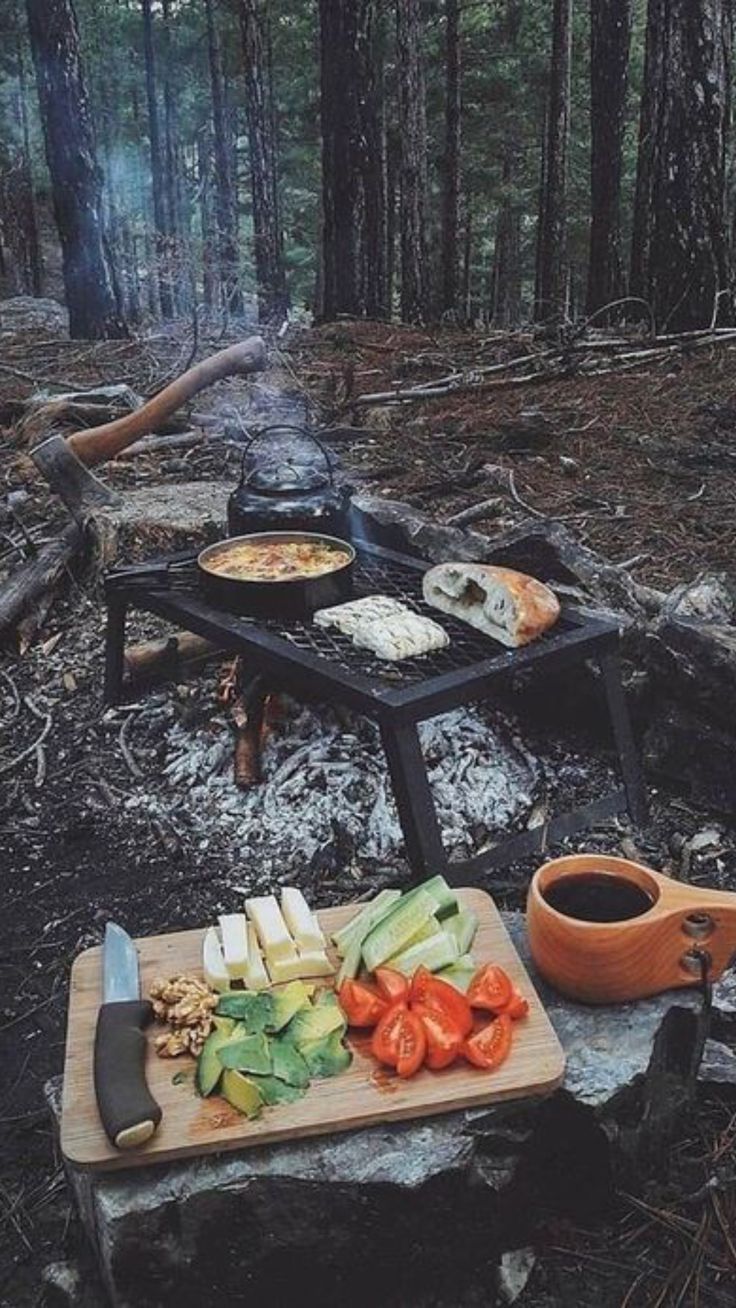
[{"x": 414, "y": 169}]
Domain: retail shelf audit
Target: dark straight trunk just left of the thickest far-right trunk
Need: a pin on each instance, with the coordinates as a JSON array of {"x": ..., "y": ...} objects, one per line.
[{"x": 611, "y": 35}]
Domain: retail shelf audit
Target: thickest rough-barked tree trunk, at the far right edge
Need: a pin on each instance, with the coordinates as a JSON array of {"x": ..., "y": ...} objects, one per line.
[{"x": 684, "y": 257}]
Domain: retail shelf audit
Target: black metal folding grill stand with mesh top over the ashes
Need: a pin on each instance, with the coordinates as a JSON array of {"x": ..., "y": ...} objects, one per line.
[{"x": 297, "y": 656}]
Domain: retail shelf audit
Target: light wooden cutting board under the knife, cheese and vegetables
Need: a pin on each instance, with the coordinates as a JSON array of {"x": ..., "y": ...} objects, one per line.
[{"x": 365, "y": 1095}]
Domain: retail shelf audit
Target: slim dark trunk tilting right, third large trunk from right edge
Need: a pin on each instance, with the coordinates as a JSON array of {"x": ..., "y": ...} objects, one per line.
[{"x": 552, "y": 286}]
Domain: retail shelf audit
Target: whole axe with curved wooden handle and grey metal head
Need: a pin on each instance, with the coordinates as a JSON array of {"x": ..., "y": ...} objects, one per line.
[{"x": 66, "y": 462}]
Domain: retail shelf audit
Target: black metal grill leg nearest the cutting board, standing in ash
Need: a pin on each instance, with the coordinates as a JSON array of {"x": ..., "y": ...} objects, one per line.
[{"x": 414, "y": 800}]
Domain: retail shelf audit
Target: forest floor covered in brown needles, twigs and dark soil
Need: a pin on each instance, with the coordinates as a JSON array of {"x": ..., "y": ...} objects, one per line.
[{"x": 640, "y": 466}]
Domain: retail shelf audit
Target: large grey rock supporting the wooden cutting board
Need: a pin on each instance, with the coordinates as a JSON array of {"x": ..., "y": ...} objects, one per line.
[{"x": 339, "y": 1213}]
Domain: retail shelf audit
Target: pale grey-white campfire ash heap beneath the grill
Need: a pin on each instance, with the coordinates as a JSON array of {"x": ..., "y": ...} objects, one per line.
[{"x": 326, "y": 785}]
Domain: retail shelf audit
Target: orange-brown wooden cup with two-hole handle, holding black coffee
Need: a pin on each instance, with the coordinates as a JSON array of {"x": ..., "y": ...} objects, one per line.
[{"x": 614, "y": 962}]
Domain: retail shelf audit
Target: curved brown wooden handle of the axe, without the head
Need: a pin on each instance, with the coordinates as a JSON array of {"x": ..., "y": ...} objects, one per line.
[{"x": 104, "y": 443}]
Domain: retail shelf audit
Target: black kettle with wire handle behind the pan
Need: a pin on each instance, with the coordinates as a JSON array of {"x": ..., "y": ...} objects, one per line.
[{"x": 290, "y": 492}]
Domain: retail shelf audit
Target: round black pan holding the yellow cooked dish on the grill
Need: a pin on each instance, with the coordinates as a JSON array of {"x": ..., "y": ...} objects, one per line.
[{"x": 296, "y": 597}]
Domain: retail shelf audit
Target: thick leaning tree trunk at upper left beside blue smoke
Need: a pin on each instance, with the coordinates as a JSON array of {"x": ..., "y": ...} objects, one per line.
[{"x": 73, "y": 165}]
